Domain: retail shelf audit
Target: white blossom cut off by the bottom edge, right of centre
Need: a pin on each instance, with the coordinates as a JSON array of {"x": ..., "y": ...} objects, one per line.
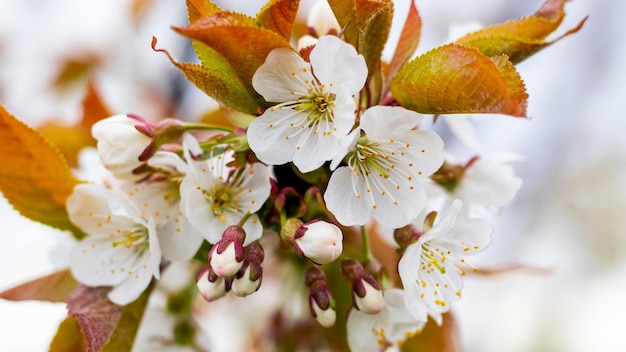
[{"x": 390, "y": 328}]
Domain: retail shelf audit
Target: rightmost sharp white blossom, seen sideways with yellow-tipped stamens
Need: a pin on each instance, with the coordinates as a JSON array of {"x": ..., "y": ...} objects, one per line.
[{"x": 429, "y": 268}]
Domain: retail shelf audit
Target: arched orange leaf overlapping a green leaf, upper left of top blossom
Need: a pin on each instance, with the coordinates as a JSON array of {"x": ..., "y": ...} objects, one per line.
[{"x": 242, "y": 45}]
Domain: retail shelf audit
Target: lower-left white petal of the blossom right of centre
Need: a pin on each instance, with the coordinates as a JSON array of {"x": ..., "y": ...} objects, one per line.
[{"x": 349, "y": 208}]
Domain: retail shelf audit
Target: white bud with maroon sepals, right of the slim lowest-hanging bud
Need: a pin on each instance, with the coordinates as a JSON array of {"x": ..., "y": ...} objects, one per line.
[{"x": 367, "y": 295}]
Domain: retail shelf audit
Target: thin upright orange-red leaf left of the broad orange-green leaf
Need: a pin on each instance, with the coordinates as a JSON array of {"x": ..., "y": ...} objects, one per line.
[{"x": 407, "y": 44}]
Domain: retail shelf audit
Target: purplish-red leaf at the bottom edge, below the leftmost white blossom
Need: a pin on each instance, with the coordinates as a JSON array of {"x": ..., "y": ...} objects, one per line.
[{"x": 97, "y": 316}]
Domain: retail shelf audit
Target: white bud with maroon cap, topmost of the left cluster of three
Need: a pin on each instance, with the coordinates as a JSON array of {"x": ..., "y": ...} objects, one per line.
[{"x": 227, "y": 255}]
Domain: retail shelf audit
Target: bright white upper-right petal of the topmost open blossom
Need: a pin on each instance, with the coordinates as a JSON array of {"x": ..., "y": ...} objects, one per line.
[{"x": 337, "y": 62}]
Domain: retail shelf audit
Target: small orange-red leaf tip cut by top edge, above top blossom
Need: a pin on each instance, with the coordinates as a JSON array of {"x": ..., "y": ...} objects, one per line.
[{"x": 279, "y": 16}]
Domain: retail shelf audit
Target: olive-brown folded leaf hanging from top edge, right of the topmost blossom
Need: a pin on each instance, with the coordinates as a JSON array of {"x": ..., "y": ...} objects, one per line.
[{"x": 366, "y": 25}]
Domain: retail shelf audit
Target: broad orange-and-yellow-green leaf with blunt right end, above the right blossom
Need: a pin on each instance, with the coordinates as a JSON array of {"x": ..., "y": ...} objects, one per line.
[{"x": 458, "y": 79}]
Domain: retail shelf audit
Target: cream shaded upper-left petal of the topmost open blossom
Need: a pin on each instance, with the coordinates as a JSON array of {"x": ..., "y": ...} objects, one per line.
[{"x": 282, "y": 76}]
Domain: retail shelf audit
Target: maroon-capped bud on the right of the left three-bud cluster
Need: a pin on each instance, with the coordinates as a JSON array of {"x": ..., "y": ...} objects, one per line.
[{"x": 248, "y": 279}]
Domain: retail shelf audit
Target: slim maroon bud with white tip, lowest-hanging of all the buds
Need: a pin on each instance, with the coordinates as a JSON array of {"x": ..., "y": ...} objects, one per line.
[{"x": 321, "y": 303}]
